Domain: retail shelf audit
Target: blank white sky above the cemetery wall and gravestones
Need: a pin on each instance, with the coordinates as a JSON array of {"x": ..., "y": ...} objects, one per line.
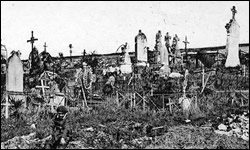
[{"x": 104, "y": 25}]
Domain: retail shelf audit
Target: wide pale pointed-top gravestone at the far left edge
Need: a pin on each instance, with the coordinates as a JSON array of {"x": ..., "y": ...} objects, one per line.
[{"x": 15, "y": 76}]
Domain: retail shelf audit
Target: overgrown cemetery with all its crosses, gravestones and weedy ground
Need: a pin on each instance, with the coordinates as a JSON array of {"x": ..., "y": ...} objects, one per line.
[{"x": 128, "y": 104}]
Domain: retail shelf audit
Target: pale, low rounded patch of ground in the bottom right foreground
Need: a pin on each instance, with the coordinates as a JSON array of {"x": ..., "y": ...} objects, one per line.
[{"x": 190, "y": 137}]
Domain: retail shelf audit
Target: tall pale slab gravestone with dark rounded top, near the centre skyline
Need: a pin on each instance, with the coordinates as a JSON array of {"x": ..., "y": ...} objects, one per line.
[{"x": 141, "y": 47}]
